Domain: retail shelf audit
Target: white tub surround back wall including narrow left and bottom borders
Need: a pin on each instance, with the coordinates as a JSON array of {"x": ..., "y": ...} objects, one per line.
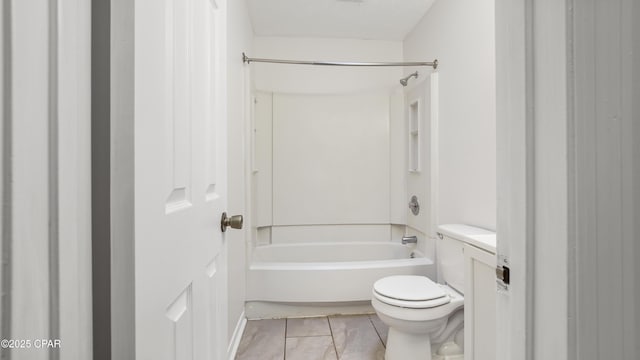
[{"x": 322, "y": 166}]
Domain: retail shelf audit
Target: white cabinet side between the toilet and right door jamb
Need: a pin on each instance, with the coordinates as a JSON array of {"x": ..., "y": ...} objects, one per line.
[{"x": 479, "y": 304}]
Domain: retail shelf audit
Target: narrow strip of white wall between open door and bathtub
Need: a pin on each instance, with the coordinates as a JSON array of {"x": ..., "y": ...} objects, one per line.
[{"x": 239, "y": 39}]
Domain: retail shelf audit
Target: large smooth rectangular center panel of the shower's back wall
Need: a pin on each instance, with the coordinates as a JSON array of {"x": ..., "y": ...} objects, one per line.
[{"x": 330, "y": 159}]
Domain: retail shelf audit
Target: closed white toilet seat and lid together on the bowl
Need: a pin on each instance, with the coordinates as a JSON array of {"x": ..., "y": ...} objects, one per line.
[{"x": 410, "y": 291}]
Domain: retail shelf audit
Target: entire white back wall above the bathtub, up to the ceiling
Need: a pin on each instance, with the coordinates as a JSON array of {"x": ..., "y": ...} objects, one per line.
[{"x": 323, "y": 139}]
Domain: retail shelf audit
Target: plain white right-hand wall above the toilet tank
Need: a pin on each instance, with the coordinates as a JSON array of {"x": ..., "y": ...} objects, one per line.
[{"x": 460, "y": 34}]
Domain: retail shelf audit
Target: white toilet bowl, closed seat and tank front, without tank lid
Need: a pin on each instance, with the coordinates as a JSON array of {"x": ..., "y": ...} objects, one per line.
[{"x": 425, "y": 319}]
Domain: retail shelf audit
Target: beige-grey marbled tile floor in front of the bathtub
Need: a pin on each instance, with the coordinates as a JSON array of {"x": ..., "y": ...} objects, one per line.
[{"x": 357, "y": 337}]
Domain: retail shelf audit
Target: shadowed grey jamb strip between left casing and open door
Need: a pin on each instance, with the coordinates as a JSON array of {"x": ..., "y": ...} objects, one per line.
[{"x": 112, "y": 86}]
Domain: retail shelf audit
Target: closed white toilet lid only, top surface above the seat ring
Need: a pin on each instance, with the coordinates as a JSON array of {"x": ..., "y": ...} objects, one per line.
[{"x": 409, "y": 288}]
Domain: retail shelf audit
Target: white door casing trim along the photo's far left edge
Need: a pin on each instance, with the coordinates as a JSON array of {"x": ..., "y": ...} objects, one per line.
[{"x": 46, "y": 203}]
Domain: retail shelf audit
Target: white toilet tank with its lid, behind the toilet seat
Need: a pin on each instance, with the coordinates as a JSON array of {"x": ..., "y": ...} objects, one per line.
[{"x": 450, "y": 252}]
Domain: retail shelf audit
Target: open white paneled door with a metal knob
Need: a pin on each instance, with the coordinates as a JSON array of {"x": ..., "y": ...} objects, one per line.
[{"x": 180, "y": 179}]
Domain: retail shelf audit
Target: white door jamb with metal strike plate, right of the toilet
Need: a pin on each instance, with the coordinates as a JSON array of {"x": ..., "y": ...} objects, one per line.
[{"x": 533, "y": 62}]
